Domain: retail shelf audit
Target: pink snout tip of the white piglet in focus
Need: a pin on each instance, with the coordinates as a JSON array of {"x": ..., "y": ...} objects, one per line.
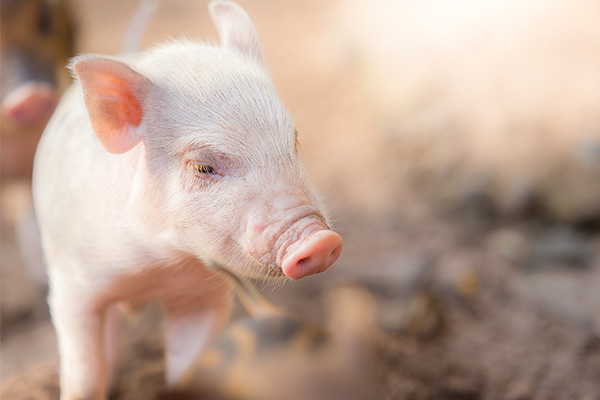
[{"x": 312, "y": 254}]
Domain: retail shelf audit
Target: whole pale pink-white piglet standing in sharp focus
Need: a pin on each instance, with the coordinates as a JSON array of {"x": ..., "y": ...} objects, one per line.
[{"x": 152, "y": 170}]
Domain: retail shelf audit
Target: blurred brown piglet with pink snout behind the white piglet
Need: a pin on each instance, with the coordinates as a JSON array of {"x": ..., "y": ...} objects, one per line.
[{"x": 36, "y": 40}]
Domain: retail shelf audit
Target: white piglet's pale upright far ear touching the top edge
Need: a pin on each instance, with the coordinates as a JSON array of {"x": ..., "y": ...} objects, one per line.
[{"x": 236, "y": 29}]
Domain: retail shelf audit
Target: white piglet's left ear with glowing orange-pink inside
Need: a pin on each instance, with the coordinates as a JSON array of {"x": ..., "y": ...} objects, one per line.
[{"x": 113, "y": 95}]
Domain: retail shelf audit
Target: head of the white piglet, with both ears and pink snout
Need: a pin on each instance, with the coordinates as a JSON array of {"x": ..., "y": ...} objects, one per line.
[{"x": 215, "y": 152}]
